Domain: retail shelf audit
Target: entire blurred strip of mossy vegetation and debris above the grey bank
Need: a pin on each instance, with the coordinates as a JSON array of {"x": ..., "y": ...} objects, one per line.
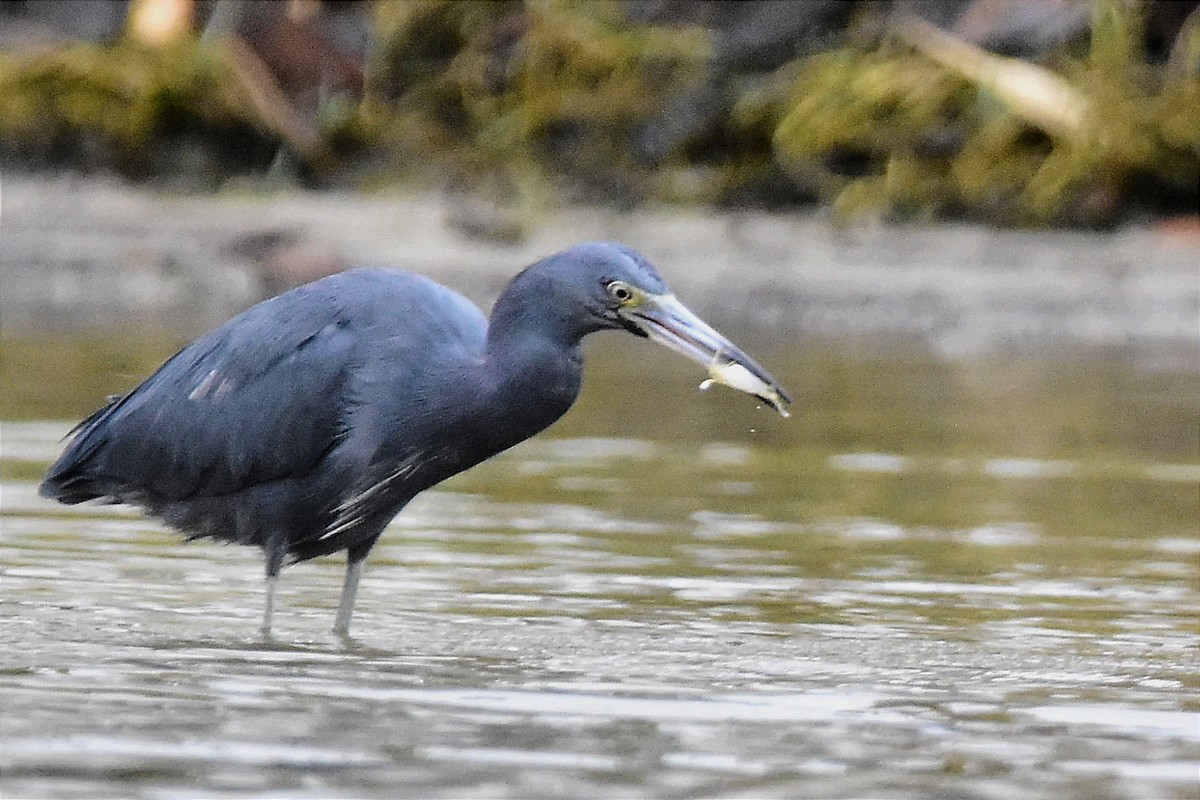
[{"x": 1011, "y": 112}]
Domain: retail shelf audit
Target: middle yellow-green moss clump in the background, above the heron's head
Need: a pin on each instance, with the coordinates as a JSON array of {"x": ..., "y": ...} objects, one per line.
[{"x": 530, "y": 92}]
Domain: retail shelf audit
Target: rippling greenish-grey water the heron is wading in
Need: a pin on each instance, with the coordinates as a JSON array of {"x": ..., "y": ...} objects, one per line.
[{"x": 955, "y": 580}]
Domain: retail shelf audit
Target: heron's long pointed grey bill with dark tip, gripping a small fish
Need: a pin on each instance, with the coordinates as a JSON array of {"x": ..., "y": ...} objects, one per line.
[{"x": 669, "y": 322}]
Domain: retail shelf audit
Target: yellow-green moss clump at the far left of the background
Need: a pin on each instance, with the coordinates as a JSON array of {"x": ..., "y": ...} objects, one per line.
[{"x": 137, "y": 111}]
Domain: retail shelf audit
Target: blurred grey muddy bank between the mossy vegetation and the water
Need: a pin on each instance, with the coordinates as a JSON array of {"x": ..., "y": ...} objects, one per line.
[{"x": 83, "y": 255}]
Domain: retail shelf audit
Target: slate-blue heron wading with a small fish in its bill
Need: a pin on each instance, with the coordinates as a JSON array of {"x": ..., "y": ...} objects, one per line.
[{"x": 305, "y": 424}]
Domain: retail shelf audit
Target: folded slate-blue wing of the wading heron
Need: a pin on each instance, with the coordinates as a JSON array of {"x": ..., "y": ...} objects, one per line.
[{"x": 265, "y": 398}]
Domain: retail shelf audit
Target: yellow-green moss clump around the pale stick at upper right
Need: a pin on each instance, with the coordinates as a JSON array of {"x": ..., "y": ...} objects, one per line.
[{"x": 884, "y": 105}]
